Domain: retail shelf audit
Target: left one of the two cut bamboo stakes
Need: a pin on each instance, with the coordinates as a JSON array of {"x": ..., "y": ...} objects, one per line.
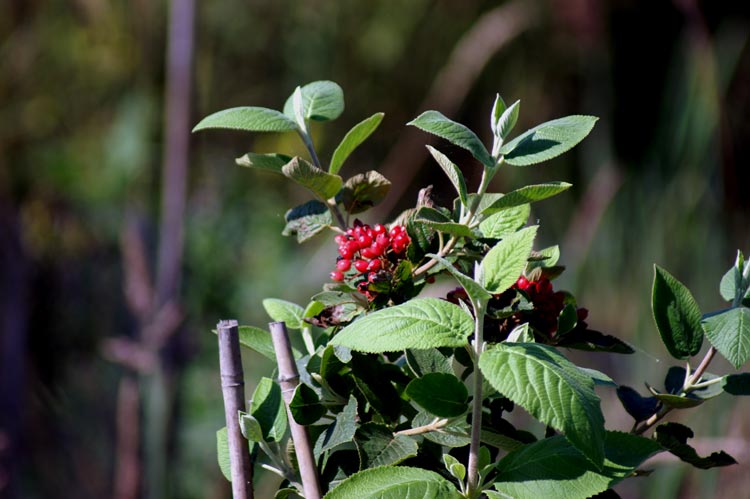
[{"x": 232, "y": 387}]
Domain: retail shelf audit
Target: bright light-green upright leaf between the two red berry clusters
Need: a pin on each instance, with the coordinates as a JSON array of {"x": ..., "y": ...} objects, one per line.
[{"x": 506, "y": 260}]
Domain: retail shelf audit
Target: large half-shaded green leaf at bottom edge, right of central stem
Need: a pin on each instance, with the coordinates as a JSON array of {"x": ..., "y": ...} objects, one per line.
[{"x": 554, "y": 468}]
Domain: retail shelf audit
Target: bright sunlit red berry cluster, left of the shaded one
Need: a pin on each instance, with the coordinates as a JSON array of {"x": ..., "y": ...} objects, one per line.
[{"x": 368, "y": 254}]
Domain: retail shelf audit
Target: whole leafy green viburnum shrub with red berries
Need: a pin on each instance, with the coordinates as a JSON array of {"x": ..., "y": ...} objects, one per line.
[{"x": 409, "y": 396}]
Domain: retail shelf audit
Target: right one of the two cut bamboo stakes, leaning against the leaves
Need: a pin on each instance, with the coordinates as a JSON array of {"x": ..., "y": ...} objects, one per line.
[{"x": 289, "y": 379}]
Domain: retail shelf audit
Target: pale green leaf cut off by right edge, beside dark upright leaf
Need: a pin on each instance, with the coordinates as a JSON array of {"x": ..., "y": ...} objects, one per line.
[{"x": 729, "y": 332}]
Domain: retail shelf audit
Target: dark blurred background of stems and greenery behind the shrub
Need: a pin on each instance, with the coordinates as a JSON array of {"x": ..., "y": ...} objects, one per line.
[{"x": 122, "y": 244}]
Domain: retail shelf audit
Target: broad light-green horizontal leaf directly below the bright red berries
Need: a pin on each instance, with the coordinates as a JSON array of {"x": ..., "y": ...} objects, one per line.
[{"x": 419, "y": 324}]
